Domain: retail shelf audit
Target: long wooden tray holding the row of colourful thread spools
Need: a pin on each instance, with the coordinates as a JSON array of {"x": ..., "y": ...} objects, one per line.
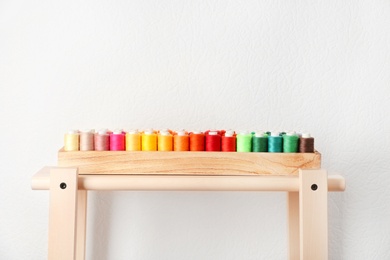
[{"x": 191, "y": 163}]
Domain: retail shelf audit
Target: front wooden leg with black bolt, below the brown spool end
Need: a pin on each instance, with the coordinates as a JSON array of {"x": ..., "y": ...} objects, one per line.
[{"x": 313, "y": 211}]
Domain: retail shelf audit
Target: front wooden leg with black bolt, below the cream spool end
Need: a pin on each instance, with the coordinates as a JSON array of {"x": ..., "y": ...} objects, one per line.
[{"x": 62, "y": 213}]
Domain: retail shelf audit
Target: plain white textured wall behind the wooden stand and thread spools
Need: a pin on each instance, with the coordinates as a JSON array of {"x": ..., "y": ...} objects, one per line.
[{"x": 317, "y": 66}]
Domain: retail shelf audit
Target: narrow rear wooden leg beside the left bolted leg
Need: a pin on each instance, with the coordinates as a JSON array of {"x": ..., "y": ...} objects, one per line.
[{"x": 81, "y": 224}]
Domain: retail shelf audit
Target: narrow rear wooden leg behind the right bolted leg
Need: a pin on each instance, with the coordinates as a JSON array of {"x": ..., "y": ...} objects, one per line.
[{"x": 293, "y": 224}]
